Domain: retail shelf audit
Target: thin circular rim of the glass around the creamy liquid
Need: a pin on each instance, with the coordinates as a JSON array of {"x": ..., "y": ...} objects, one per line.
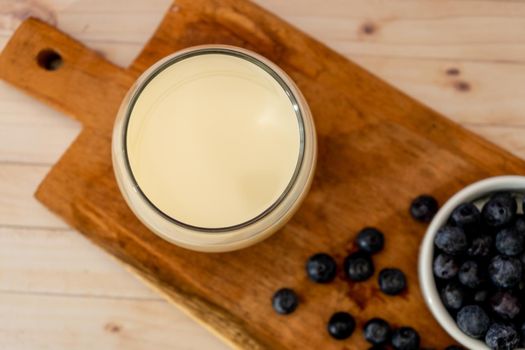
[{"x": 158, "y": 68}]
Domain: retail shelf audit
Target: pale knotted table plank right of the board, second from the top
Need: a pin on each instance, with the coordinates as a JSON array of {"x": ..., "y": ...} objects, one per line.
[{"x": 481, "y": 93}]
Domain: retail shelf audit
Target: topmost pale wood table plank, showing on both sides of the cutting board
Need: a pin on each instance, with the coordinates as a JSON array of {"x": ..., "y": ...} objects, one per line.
[{"x": 410, "y": 28}]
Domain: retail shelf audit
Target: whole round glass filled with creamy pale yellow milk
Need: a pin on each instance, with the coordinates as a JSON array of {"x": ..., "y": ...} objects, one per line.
[{"x": 214, "y": 148}]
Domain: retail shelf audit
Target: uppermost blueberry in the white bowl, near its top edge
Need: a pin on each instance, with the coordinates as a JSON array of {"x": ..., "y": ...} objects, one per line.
[{"x": 500, "y": 210}]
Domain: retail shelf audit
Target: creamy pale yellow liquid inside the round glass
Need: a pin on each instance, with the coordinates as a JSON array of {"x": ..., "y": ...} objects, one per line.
[{"x": 213, "y": 141}]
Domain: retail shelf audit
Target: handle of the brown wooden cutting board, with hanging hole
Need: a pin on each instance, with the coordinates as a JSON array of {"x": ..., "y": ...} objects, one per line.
[{"x": 62, "y": 72}]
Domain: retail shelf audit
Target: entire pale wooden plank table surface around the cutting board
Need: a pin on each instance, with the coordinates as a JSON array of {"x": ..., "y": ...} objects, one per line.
[{"x": 464, "y": 58}]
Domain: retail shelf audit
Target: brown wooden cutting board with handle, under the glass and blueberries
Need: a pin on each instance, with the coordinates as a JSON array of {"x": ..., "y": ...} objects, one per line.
[{"x": 378, "y": 149}]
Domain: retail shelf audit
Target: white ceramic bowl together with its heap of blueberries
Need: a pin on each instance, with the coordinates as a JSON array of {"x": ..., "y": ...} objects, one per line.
[{"x": 472, "y": 264}]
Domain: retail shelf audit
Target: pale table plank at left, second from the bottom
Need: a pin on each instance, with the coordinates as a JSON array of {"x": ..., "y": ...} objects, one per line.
[{"x": 62, "y": 262}]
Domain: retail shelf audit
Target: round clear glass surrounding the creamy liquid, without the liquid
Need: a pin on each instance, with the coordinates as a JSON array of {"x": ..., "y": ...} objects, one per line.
[{"x": 238, "y": 235}]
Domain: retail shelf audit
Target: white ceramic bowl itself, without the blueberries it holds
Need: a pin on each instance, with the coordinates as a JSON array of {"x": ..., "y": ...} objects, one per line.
[{"x": 472, "y": 192}]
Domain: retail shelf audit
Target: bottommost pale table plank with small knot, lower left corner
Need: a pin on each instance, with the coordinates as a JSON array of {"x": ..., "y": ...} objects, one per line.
[{"x": 29, "y": 322}]
